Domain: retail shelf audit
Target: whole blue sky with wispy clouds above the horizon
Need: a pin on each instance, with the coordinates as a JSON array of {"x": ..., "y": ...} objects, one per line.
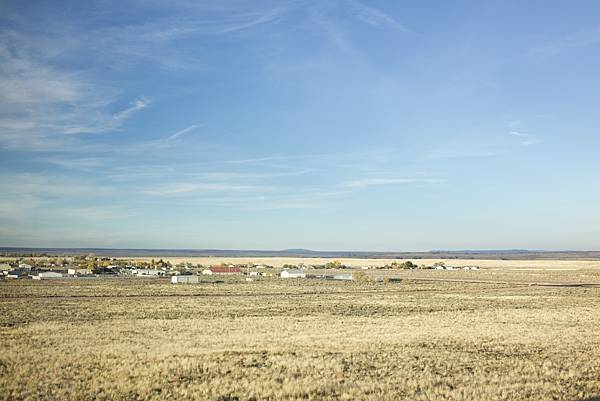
[{"x": 331, "y": 125}]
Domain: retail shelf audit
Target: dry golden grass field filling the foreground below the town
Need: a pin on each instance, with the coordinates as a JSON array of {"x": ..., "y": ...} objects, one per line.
[{"x": 131, "y": 339}]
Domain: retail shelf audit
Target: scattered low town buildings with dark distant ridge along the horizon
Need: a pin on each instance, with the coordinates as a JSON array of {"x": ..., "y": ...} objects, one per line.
[{"x": 53, "y": 263}]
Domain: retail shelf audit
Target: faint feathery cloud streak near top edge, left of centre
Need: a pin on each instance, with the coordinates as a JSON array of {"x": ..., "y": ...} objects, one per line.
[{"x": 163, "y": 41}]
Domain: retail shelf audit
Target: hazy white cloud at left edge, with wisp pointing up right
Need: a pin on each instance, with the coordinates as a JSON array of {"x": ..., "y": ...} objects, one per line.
[{"x": 41, "y": 103}]
